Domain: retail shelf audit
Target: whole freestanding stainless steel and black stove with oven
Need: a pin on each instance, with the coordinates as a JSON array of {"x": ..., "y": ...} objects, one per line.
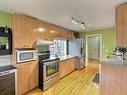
[{"x": 48, "y": 71}]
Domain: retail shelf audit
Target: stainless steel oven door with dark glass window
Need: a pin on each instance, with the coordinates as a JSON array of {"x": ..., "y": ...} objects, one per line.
[{"x": 50, "y": 69}]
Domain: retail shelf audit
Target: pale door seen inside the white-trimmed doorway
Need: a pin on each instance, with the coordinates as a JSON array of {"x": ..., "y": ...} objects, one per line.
[{"x": 94, "y": 47}]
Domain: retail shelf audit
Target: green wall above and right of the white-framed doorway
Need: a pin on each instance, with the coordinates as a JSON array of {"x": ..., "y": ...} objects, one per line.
[{"x": 108, "y": 39}]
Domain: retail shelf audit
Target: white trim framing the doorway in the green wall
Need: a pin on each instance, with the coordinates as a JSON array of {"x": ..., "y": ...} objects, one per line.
[{"x": 100, "y": 45}]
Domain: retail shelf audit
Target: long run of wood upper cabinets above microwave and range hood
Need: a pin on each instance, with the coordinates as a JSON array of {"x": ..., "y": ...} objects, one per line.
[{"x": 26, "y": 31}]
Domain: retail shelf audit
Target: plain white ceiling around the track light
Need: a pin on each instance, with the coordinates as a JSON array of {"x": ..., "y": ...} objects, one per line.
[{"x": 95, "y": 13}]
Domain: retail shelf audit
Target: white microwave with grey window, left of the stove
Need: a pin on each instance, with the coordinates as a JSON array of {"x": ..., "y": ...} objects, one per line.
[{"x": 24, "y": 55}]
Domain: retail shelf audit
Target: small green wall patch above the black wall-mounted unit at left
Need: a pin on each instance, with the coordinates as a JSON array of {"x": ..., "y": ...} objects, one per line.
[{"x": 5, "y": 19}]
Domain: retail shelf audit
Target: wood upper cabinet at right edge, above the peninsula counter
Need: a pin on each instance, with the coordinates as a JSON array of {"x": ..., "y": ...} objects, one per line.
[{"x": 121, "y": 24}]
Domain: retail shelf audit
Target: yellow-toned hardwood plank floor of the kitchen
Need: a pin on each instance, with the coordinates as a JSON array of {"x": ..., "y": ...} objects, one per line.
[{"x": 76, "y": 83}]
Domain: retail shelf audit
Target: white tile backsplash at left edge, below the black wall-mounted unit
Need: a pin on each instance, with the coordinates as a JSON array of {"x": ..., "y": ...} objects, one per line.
[{"x": 5, "y": 60}]
